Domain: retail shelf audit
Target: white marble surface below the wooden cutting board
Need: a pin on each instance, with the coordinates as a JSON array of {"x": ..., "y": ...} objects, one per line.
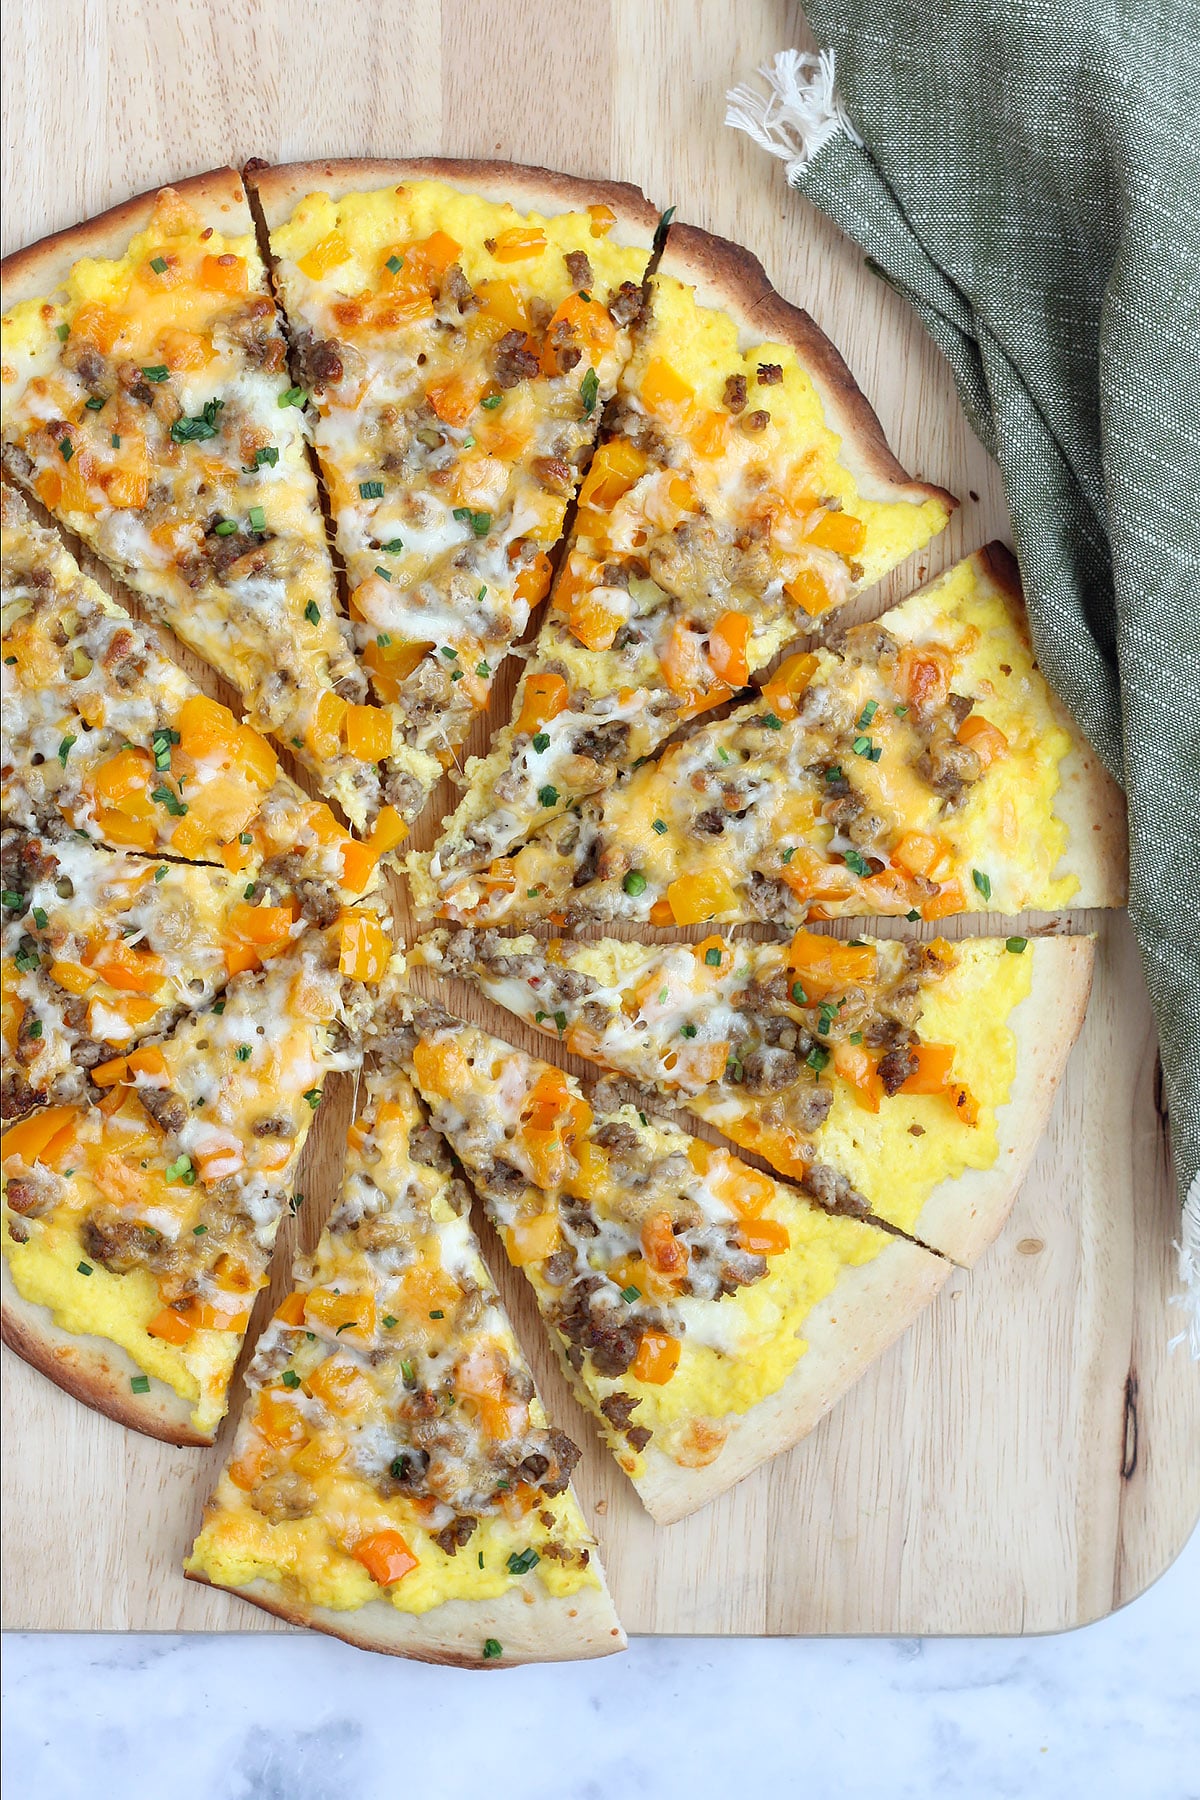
[{"x": 1111, "y": 1711}]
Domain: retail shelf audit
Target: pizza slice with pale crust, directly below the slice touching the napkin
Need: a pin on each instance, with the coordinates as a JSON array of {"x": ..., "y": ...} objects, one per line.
[{"x": 918, "y": 1074}]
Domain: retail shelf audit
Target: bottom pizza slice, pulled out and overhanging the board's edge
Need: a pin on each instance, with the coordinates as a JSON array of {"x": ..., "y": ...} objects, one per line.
[{"x": 395, "y": 1480}]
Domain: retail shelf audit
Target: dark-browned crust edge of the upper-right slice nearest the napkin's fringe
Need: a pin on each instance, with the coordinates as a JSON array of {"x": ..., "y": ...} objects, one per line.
[{"x": 731, "y": 280}]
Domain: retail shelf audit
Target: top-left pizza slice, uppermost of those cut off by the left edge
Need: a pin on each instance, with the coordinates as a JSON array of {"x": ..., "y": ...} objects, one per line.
[{"x": 148, "y": 406}]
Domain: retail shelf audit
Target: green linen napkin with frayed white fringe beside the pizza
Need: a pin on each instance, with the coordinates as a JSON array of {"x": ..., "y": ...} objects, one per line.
[{"x": 1028, "y": 175}]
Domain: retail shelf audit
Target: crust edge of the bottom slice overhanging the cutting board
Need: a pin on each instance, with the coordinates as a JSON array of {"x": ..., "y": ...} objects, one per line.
[{"x": 530, "y": 1626}]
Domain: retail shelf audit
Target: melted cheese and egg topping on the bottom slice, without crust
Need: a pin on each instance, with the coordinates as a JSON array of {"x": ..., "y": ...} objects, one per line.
[{"x": 336, "y": 1457}]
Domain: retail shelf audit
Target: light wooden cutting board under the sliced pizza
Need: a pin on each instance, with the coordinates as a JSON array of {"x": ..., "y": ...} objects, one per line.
[{"x": 1028, "y": 1457}]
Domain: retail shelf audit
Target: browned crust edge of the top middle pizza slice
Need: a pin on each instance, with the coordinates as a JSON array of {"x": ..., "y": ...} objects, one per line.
[{"x": 535, "y": 190}]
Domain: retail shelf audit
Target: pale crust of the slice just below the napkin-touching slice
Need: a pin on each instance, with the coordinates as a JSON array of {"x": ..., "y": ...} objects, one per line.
[{"x": 965, "y": 1216}]
